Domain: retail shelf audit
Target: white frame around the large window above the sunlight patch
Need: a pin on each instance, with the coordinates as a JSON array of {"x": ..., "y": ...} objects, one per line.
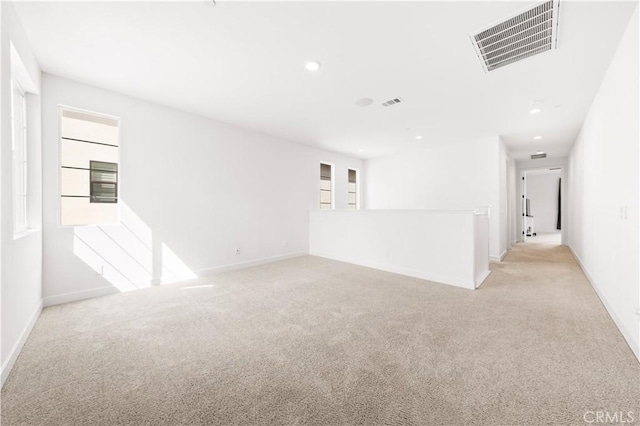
[{"x": 61, "y": 109}]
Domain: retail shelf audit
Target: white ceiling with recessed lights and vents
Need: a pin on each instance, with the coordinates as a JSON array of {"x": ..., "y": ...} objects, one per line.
[{"x": 243, "y": 63}]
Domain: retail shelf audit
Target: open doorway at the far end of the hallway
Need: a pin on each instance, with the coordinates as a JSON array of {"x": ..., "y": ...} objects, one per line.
[{"x": 542, "y": 204}]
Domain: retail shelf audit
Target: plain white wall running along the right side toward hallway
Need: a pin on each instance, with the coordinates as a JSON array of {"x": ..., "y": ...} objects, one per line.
[{"x": 604, "y": 186}]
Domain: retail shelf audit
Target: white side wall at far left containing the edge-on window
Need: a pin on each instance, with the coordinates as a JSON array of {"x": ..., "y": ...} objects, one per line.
[{"x": 21, "y": 257}]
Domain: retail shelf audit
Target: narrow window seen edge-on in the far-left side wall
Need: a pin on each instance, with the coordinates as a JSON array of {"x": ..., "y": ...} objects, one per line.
[{"x": 19, "y": 156}]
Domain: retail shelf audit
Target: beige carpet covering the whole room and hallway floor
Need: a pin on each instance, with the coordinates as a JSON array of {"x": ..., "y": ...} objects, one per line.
[{"x": 313, "y": 341}]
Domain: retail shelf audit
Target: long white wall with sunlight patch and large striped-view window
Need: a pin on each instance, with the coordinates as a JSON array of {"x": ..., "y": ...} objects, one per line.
[{"x": 193, "y": 190}]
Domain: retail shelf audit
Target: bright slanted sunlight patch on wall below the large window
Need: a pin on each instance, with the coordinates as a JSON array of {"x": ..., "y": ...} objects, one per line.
[{"x": 127, "y": 256}]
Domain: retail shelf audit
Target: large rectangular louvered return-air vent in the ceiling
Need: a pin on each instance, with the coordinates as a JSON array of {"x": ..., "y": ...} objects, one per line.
[{"x": 526, "y": 34}]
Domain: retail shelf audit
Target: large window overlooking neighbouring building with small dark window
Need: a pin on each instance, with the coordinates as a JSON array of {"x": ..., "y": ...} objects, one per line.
[{"x": 89, "y": 152}]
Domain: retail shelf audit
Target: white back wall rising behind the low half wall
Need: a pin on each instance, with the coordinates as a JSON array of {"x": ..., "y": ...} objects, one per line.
[{"x": 441, "y": 175}]
